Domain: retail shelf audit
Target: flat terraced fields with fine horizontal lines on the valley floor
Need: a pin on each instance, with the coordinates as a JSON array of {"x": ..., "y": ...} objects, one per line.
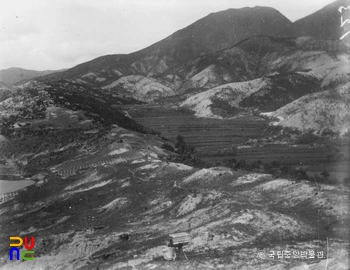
[{"x": 249, "y": 138}]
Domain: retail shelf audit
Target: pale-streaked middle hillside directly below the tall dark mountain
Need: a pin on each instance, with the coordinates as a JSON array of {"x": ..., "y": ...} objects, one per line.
[{"x": 260, "y": 56}]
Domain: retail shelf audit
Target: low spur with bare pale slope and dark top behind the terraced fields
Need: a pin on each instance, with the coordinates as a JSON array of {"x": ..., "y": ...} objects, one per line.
[{"x": 264, "y": 94}]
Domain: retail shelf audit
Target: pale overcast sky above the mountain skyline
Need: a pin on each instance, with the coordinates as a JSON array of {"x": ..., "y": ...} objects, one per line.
[{"x": 57, "y": 34}]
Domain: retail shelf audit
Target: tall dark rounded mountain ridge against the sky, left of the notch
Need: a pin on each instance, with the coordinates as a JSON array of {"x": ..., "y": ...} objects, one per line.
[{"x": 201, "y": 37}]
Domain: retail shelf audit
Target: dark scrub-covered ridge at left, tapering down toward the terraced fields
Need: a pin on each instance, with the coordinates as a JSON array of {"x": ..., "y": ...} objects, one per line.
[{"x": 32, "y": 102}]
